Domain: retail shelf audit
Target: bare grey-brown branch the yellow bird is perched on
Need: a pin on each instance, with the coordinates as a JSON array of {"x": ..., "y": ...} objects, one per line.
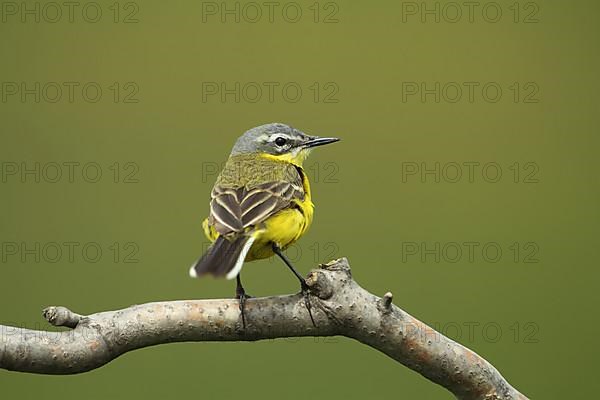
[{"x": 340, "y": 307}]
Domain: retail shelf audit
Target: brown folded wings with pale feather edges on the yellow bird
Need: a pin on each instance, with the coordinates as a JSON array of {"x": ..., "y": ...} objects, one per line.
[{"x": 235, "y": 209}]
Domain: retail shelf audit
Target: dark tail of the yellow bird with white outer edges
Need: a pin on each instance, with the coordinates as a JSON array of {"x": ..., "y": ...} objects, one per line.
[{"x": 223, "y": 258}]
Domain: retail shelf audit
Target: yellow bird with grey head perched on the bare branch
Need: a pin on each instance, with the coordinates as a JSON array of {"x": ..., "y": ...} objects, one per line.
[{"x": 261, "y": 203}]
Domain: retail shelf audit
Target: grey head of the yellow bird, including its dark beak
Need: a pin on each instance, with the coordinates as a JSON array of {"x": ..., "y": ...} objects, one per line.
[{"x": 276, "y": 139}]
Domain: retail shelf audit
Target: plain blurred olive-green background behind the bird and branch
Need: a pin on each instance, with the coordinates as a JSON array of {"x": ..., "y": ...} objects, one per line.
[{"x": 365, "y": 209}]
